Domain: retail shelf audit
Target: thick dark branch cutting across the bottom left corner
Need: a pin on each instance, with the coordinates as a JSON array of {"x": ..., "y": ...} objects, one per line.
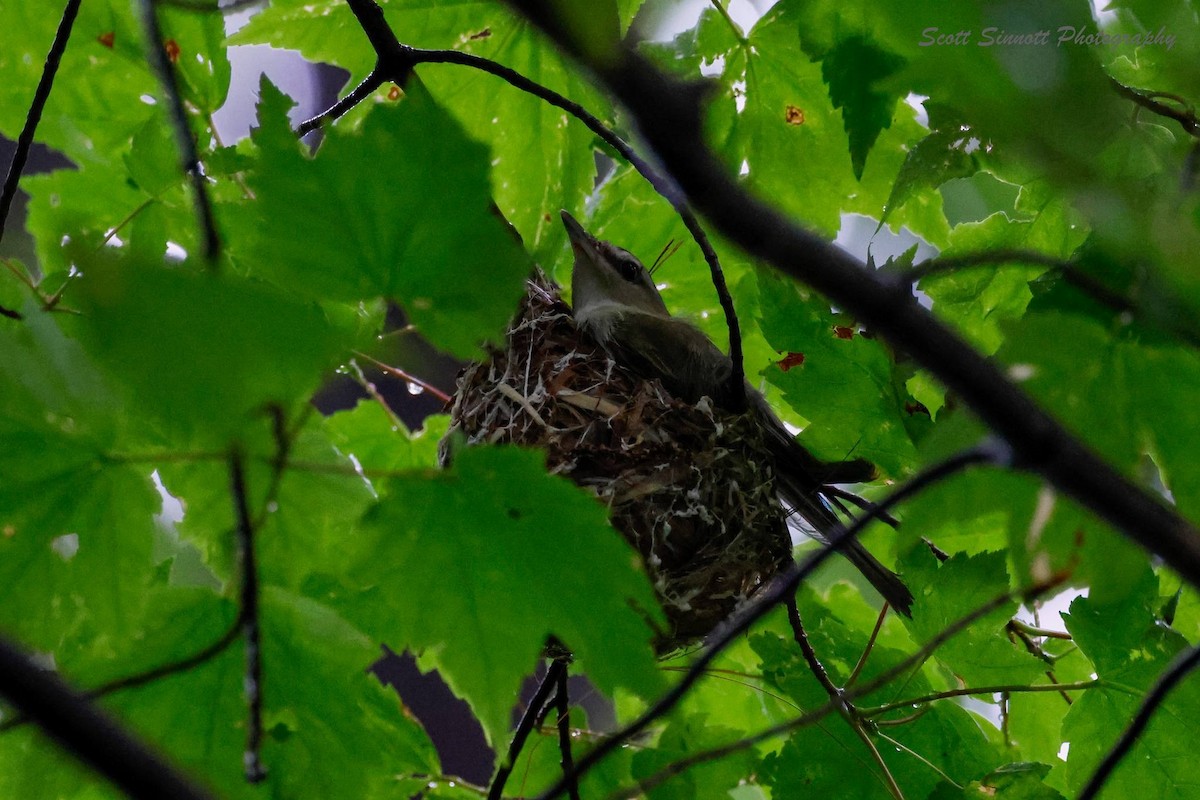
[{"x": 88, "y": 733}]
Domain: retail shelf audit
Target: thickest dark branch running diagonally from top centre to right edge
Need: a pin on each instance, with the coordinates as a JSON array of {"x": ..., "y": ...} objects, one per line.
[{"x": 670, "y": 117}]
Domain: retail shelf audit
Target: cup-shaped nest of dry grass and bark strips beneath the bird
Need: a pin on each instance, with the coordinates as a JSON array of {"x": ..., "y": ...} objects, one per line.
[{"x": 687, "y": 485}]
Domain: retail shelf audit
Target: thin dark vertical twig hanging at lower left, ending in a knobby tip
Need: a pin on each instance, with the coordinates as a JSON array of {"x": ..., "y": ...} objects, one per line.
[{"x": 250, "y": 624}]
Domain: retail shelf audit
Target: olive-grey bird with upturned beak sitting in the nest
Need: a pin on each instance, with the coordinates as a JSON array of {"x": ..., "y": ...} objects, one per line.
[{"x": 616, "y": 302}]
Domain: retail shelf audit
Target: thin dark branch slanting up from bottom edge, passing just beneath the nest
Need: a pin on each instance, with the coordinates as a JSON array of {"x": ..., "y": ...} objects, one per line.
[{"x": 779, "y": 591}]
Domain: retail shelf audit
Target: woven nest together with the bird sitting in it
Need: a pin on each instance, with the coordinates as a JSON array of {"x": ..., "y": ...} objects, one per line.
[{"x": 635, "y": 405}]
